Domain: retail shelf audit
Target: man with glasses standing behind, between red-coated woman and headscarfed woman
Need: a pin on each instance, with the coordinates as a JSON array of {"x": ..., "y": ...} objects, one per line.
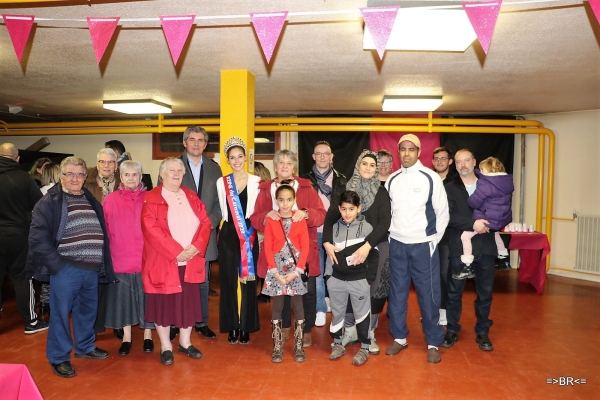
[{"x": 329, "y": 184}]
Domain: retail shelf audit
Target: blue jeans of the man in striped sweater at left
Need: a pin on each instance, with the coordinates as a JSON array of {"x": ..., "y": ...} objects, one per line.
[{"x": 73, "y": 290}]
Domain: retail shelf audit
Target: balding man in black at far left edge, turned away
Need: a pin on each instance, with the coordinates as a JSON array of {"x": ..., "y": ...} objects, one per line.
[{"x": 18, "y": 195}]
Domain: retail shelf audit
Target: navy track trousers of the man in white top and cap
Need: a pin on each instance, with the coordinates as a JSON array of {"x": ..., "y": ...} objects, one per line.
[{"x": 419, "y": 262}]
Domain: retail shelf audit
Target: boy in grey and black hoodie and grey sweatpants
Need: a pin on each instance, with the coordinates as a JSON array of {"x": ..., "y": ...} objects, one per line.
[{"x": 345, "y": 279}]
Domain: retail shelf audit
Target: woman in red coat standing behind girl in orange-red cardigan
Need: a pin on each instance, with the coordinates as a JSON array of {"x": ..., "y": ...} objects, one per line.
[{"x": 309, "y": 207}]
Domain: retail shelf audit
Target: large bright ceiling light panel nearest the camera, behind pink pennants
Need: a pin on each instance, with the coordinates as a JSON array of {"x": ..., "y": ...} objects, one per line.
[{"x": 417, "y": 29}]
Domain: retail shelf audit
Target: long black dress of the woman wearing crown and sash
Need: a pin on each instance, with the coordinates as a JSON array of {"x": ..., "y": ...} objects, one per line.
[{"x": 229, "y": 265}]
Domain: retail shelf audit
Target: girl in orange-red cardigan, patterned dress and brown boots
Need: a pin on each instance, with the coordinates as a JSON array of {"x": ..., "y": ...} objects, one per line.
[{"x": 286, "y": 247}]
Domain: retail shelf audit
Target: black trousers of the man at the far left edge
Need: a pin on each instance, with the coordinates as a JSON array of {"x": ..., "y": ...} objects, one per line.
[{"x": 14, "y": 246}]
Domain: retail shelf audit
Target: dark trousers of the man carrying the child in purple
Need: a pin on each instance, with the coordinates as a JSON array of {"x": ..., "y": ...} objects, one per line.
[{"x": 484, "y": 285}]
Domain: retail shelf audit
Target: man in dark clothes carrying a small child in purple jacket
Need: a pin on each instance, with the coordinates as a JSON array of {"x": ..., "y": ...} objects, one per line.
[{"x": 484, "y": 249}]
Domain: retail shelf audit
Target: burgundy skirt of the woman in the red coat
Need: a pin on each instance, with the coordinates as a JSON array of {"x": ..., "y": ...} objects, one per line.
[{"x": 181, "y": 309}]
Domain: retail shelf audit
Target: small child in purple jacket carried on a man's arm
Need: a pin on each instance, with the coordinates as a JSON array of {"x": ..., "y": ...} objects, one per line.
[{"x": 491, "y": 201}]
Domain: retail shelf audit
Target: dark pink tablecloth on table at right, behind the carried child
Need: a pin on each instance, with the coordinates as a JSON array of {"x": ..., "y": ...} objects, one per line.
[{"x": 533, "y": 249}]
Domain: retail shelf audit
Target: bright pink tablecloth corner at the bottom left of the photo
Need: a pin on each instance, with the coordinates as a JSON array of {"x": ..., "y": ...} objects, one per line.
[{"x": 16, "y": 383}]
